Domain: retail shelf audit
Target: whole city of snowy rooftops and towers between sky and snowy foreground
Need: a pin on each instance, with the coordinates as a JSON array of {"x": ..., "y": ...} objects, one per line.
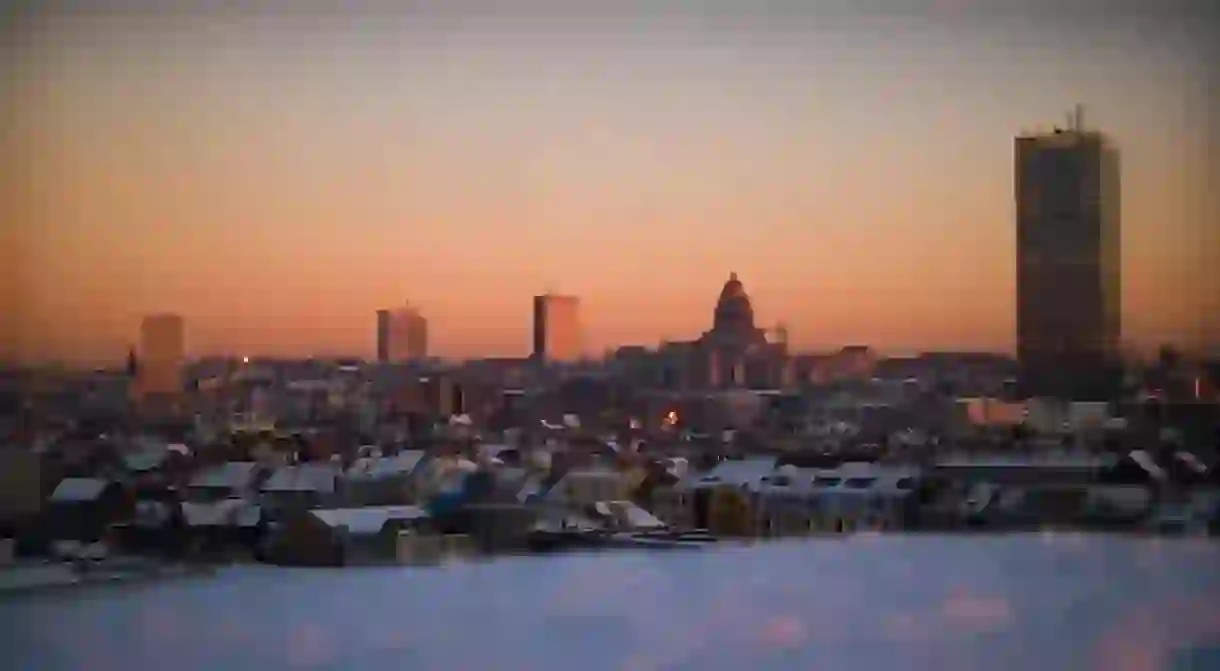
[{"x": 729, "y": 434}]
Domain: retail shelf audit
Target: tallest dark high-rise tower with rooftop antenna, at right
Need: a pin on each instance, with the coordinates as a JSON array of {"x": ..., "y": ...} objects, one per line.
[{"x": 1068, "y": 260}]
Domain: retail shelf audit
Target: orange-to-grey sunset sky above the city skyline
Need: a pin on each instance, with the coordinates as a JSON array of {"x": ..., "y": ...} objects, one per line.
[{"x": 276, "y": 175}]
